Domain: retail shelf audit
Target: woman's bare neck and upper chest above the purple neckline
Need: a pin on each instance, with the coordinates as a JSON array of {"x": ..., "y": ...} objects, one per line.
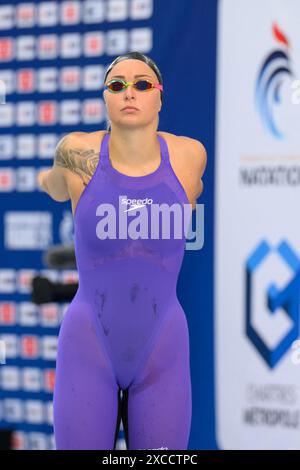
[{"x": 134, "y": 147}]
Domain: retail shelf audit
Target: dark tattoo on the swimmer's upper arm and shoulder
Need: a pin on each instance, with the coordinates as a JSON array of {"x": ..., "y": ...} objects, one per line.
[{"x": 82, "y": 162}]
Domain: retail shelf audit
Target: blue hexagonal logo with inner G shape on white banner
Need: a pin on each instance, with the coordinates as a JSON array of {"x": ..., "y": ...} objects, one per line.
[{"x": 286, "y": 299}]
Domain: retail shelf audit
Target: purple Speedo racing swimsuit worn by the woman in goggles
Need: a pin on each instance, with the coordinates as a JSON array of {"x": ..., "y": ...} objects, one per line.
[{"x": 125, "y": 329}]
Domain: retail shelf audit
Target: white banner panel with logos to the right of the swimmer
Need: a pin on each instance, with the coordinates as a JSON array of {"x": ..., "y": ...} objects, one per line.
[{"x": 257, "y": 228}]
